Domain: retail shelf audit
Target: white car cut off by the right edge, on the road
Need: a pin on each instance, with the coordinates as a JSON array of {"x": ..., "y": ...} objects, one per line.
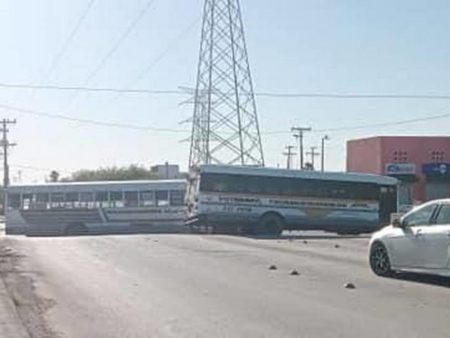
[{"x": 418, "y": 242}]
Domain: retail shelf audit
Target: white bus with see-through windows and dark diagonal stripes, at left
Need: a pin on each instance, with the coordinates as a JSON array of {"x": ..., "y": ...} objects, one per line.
[{"x": 96, "y": 207}]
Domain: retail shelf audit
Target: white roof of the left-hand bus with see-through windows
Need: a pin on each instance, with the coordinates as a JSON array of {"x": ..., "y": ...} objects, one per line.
[{"x": 98, "y": 185}]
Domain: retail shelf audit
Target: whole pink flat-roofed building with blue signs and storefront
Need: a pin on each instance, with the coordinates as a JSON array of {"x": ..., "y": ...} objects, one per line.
[{"x": 422, "y": 164}]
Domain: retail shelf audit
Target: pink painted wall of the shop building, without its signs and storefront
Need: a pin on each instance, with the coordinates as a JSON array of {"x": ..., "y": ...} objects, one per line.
[{"x": 371, "y": 156}]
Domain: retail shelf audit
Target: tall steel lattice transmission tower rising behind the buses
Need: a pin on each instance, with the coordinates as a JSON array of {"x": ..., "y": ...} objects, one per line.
[{"x": 225, "y": 126}]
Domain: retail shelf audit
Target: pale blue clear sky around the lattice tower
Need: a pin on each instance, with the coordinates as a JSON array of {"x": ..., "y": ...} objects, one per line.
[{"x": 294, "y": 46}]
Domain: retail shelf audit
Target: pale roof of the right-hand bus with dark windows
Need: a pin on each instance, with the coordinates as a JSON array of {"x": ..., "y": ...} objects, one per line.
[{"x": 314, "y": 175}]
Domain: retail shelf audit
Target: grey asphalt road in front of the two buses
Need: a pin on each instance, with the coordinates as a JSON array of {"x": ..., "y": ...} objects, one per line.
[{"x": 216, "y": 286}]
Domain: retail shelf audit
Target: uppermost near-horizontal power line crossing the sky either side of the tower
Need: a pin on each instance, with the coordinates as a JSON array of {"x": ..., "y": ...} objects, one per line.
[{"x": 260, "y": 94}]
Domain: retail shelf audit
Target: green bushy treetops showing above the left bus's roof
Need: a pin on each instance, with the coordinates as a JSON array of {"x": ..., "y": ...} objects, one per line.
[{"x": 132, "y": 172}]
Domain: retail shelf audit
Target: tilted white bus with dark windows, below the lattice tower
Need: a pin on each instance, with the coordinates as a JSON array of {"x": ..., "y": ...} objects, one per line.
[{"x": 251, "y": 200}]
